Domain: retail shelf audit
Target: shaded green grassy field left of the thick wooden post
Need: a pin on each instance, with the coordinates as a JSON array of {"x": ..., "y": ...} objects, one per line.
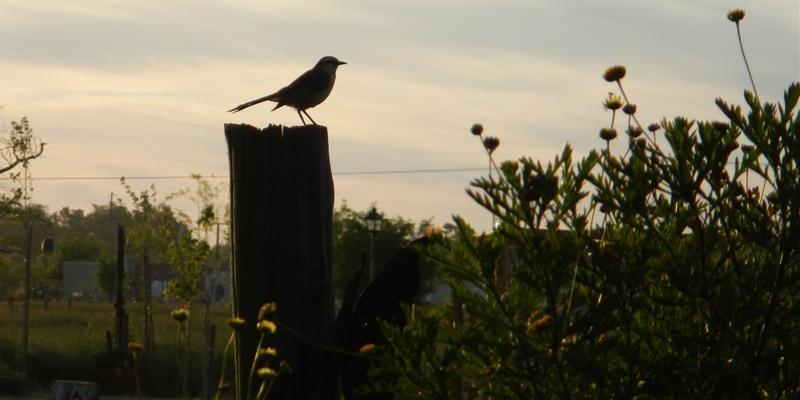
[{"x": 68, "y": 342}]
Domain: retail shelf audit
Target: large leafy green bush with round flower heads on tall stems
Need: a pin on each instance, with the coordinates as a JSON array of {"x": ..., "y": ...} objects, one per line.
[{"x": 669, "y": 271}]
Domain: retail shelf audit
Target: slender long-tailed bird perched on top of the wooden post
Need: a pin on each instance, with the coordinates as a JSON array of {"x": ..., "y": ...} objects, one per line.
[{"x": 307, "y": 91}]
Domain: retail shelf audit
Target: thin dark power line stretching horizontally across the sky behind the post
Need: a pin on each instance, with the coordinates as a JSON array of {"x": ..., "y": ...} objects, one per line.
[{"x": 213, "y": 176}]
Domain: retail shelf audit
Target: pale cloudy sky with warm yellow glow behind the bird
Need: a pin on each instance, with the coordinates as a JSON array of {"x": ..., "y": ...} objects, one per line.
[{"x": 140, "y": 88}]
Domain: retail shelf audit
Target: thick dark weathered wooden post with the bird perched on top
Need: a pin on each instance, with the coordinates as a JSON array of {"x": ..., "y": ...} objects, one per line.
[{"x": 281, "y": 244}]
